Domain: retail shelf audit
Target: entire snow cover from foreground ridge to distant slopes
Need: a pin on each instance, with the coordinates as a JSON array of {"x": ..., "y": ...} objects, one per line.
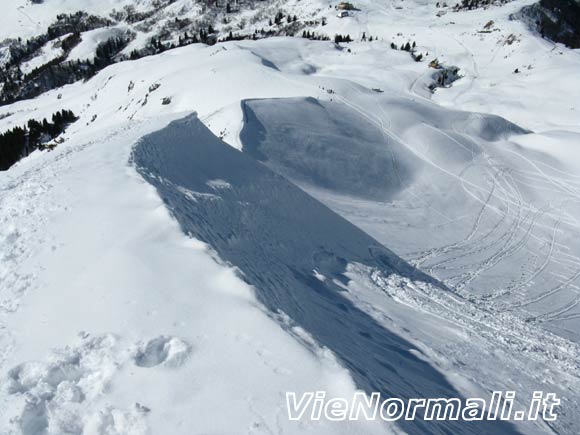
[{"x": 360, "y": 231}]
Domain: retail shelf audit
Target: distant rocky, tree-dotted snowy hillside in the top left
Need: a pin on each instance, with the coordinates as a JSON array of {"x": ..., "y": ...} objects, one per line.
[{"x": 76, "y": 45}]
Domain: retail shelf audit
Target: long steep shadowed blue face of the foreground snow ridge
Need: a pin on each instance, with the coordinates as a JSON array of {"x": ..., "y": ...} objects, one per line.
[{"x": 294, "y": 251}]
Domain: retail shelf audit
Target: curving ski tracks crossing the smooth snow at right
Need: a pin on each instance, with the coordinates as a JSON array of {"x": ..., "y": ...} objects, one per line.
[{"x": 509, "y": 242}]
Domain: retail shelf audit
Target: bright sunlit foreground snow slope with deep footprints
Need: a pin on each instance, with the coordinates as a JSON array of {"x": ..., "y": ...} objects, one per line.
[{"x": 97, "y": 338}]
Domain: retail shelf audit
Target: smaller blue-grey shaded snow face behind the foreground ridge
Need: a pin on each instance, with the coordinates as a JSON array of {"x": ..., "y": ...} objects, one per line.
[{"x": 323, "y": 154}]
